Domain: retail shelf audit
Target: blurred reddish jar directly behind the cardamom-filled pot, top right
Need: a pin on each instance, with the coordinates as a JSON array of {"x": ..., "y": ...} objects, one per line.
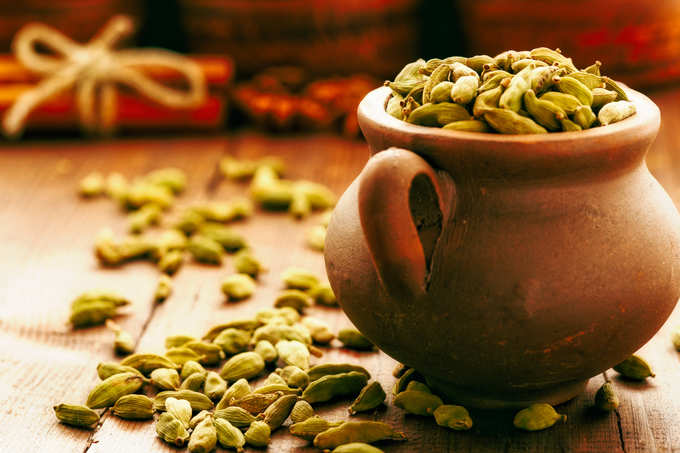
[{"x": 637, "y": 41}]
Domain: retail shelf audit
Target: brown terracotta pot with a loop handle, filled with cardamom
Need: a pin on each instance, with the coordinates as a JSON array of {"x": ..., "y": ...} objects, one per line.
[{"x": 506, "y": 269}]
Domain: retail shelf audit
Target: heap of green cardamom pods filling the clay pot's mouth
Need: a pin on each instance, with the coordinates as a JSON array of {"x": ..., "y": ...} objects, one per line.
[{"x": 516, "y": 92}]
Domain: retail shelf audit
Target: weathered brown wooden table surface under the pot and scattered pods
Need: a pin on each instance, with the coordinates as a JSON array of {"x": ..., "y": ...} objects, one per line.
[{"x": 46, "y": 236}]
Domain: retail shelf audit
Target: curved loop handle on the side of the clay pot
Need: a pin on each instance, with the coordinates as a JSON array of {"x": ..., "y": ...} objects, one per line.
[{"x": 400, "y": 245}]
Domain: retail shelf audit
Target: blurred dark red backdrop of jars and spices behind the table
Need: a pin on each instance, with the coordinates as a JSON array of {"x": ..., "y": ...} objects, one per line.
[{"x": 303, "y": 65}]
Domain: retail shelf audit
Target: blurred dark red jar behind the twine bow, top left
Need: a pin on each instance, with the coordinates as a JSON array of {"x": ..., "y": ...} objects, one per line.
[{"x": 78, "y": 19}]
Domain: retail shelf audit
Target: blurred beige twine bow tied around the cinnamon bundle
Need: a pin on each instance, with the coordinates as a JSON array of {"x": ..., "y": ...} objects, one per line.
[{"x": 94, "y": 69}]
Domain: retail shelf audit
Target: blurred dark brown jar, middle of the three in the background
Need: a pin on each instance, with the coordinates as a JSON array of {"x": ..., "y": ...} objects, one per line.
[{"x": 324, "y": 36}]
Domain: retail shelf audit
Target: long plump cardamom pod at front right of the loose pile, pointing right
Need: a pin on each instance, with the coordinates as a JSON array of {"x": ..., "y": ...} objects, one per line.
[{"x": 360, "y": 431}]
